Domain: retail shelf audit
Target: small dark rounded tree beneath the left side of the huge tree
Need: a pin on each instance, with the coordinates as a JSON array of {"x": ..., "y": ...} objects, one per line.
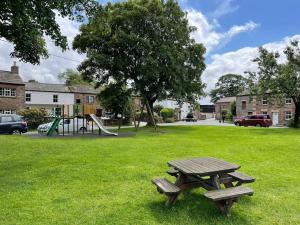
[{"x": 115, "y": 98}]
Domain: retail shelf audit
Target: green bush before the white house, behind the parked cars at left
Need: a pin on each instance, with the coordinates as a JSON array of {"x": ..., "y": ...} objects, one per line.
[{"x": 34, "y": 117}]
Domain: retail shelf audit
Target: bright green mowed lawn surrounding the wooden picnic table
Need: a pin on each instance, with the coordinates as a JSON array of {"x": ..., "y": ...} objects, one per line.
[{"x": 108, "y": 181}]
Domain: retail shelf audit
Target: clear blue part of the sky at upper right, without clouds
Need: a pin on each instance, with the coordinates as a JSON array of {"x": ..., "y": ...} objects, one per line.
[{"x": 276, "y": 19}]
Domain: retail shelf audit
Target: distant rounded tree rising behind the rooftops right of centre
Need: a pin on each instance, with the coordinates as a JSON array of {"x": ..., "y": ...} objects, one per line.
[{"x": 227, "y": 86}]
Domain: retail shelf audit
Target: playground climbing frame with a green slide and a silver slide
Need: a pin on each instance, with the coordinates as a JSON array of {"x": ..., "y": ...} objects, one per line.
[{"x": 75, "y": 119}]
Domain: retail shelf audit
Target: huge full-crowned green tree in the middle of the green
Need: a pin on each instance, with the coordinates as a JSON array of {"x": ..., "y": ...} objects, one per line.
[{"x": 144, "y": 43}]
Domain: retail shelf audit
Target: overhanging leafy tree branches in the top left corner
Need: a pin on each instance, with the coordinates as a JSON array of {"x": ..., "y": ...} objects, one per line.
[{"x": 26, "y": 22}]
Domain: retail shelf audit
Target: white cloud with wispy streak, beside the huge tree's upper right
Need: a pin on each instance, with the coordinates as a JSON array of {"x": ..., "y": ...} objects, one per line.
[{"x": 207, "y": 34}]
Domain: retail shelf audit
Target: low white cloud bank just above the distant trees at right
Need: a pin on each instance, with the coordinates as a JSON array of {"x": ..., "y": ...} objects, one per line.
[{"x": 239, "y": 61}]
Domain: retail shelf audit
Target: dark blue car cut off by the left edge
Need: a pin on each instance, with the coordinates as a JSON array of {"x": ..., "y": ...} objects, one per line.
[{"x": 12, "y": 124}]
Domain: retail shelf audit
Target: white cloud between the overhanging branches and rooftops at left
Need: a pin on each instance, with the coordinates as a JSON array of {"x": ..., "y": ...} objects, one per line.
[{"x": 49, "y": 68}]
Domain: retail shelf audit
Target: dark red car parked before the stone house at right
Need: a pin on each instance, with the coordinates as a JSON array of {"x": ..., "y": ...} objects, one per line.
[{"x": 254, "y": 120}]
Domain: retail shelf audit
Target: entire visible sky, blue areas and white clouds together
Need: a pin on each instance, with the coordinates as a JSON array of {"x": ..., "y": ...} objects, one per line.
[{"x": 231, "y": 31}]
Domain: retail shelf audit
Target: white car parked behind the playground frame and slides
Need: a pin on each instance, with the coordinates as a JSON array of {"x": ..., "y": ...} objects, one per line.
[{"x": 67, "y": 125}]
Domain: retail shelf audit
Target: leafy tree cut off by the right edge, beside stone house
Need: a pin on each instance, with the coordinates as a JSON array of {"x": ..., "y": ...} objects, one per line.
[{"x": 279, "y": 80}]
